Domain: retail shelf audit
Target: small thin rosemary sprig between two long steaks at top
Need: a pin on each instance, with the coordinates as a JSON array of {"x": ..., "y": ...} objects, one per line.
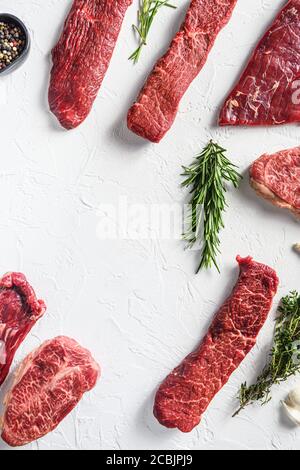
[{"x": 148, "y": 10}]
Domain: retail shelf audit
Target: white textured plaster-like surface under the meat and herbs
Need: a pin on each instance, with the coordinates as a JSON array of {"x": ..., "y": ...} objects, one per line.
[{"x": 137, "y": 305}]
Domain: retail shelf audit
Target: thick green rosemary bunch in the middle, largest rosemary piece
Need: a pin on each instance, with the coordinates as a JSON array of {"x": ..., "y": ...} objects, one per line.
[{"x": 207, "y": 177}]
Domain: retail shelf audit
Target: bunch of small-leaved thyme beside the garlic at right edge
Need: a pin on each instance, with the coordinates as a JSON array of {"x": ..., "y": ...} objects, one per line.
[{"x": 284, "y": 357}]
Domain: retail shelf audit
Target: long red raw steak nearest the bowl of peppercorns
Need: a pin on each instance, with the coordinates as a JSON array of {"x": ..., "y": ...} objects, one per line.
[{"x": 82, "y": 56}]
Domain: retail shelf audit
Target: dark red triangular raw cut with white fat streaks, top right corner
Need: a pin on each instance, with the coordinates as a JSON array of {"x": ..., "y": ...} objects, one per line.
[{"x": 268, "y": 91}]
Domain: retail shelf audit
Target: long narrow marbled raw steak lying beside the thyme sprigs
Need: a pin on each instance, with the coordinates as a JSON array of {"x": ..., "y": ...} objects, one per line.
[{"x": 186, "y": 393}]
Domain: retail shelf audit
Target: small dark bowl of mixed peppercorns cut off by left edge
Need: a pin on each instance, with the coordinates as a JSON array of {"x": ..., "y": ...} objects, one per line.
[{"x": 14, "y": 43}]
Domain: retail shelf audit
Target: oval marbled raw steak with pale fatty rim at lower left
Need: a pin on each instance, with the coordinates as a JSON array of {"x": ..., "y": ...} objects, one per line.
[{"x": 49, "y": 384}]
